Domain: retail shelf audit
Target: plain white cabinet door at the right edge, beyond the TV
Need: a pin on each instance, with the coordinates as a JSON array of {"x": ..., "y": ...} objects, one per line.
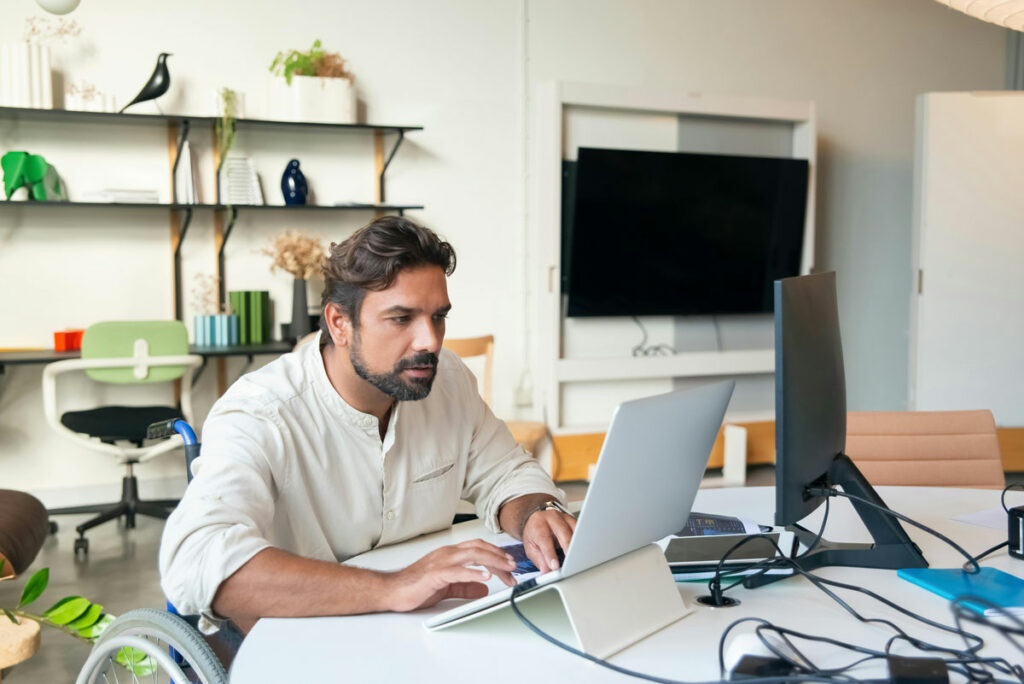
[{"x": 967, "y": 328}]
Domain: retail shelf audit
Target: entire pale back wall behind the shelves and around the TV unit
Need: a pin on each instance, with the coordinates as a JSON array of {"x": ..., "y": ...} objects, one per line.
[{"x": 464, "y": 70}]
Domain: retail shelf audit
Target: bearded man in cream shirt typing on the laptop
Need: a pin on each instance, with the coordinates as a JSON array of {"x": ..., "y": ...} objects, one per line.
[{"x": 369, "y": 437}]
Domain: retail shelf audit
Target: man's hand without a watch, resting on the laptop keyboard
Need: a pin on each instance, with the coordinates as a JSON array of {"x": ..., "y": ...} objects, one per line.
[{"x": 446, "y": 574}]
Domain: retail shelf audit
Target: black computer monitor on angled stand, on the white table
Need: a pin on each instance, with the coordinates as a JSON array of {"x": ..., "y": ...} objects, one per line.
[{"x": 810, "y": 430}]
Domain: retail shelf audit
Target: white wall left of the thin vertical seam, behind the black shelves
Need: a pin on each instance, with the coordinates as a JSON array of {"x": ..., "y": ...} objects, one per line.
[{"x": 454, "y": 68}]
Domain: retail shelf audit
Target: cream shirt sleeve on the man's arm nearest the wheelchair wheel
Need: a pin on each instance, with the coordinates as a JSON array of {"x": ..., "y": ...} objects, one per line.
[{"x": 226, "y": 516}]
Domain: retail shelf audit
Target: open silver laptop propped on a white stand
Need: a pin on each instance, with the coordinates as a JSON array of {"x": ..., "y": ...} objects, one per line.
[{"x": 644, "y": 488}]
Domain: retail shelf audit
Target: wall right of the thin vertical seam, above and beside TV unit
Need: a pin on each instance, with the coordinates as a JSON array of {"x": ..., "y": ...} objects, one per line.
[{"x": 863, "y": 63}]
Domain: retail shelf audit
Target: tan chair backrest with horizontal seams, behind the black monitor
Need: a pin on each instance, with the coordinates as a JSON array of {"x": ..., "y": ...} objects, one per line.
[{"x": 927, "y": 449}]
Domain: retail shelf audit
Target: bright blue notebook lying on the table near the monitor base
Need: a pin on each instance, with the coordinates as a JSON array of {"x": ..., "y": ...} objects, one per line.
[{"x": 1001, "y": 588}]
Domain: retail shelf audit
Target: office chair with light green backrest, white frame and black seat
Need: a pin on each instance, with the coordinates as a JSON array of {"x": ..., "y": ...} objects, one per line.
[{"x": 123, "y": 353}]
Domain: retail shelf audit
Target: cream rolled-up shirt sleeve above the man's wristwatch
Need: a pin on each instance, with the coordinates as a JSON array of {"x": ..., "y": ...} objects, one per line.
[{"x": 498, "y": 469}]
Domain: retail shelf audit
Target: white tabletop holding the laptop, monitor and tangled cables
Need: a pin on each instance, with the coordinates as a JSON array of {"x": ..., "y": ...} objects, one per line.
[{"x": 497, "y": 649}]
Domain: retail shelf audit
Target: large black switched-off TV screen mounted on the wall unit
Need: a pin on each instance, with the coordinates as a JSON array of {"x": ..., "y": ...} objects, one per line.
[{"x": 679, "y": 234}]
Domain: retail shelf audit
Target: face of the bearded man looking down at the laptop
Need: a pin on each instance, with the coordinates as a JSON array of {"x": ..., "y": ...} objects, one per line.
[{"x": 397, "y": 344}]
